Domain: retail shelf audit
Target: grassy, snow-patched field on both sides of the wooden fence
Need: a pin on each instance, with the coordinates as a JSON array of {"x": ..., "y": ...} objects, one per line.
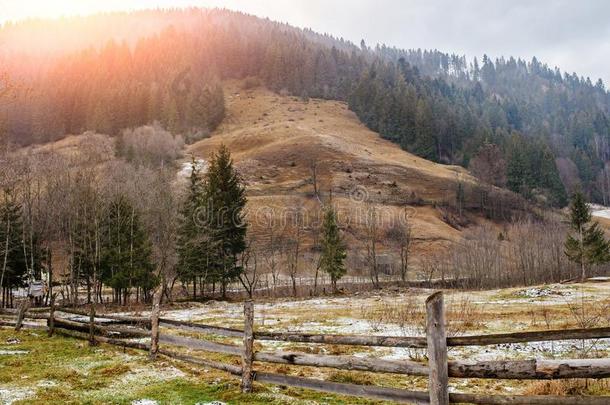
[{"x": 41, "y": 370}]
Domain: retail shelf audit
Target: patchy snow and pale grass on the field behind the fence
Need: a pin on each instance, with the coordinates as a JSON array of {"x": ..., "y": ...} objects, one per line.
[{"x": 344, "y": 316}]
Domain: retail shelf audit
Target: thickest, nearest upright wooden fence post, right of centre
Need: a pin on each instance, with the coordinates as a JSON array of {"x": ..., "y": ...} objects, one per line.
[{"x": 437, "y": 349}]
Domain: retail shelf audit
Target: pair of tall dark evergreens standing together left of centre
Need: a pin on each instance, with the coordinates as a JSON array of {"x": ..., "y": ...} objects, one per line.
[{"x": 212, "y": 232}]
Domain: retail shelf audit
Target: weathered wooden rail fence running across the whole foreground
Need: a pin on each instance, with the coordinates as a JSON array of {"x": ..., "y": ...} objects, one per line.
[{"x": 121, "y": 330}]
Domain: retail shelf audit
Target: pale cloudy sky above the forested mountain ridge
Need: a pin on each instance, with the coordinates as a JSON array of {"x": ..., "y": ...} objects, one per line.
[{"x": 573, "y": 35}]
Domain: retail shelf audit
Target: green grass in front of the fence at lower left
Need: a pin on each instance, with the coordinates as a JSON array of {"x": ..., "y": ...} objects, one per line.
[{"x": 62, "y": 370}]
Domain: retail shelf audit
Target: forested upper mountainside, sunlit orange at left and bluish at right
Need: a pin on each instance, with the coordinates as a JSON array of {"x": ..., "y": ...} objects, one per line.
[{"x": 551, "y": 130}]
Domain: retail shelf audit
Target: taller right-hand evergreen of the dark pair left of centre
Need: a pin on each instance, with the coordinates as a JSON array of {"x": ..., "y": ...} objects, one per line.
[{"x": 225, "y": 198}]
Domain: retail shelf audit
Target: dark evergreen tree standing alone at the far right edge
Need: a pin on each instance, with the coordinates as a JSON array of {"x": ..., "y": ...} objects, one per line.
[{"x": 588, "y": 246}]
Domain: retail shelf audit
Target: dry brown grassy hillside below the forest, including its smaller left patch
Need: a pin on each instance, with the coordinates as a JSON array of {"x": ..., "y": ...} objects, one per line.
[{"x": 276, "y": 140}]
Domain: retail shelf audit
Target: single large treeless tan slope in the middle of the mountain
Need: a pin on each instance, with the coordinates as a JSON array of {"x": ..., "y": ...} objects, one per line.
[{"x": 274, "y": 140}]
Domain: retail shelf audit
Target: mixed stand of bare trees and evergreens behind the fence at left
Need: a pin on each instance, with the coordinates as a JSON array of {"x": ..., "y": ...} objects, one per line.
[{"x": 85, "y": 222}]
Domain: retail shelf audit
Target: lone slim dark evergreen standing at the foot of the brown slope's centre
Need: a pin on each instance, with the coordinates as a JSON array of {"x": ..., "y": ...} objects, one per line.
[{"x": 332, "y": 259}]
